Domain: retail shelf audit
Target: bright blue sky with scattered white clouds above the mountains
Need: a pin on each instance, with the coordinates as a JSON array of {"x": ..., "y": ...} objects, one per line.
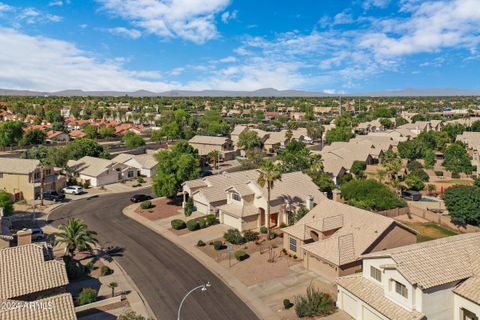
[{"x": 158, "y": 45}]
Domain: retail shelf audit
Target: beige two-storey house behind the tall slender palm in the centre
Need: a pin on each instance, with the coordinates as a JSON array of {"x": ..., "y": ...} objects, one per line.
[{"x": 241, "y": 203}]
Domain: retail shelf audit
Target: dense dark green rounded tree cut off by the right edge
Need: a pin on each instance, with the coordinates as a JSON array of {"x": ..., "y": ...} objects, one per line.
[{"x": 463, "y": 204}]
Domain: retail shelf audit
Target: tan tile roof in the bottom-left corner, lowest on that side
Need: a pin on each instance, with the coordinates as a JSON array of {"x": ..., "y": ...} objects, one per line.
[{"x": 59, "y": 307}]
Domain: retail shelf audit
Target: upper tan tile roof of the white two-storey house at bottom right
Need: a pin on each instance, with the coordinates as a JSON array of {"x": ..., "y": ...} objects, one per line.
[{"x": 436, "y": 262}]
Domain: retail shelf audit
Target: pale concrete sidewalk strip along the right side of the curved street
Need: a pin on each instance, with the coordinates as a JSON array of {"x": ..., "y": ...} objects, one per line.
[{"x": 234, "y": 284}]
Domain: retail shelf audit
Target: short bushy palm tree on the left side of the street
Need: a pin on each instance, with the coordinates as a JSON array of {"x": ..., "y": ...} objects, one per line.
[{"x": 75, "y": 236}]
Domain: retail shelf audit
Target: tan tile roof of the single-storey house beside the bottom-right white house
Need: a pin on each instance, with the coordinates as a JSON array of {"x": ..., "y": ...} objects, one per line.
[{"x": 358, "y": 230}]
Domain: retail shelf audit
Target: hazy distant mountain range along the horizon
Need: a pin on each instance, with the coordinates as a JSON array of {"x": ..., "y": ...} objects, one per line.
[{"x": 266, "y": 92}]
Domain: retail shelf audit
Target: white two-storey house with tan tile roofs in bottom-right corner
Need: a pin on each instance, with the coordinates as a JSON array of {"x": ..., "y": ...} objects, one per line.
[{"x": 434, "y": 280}]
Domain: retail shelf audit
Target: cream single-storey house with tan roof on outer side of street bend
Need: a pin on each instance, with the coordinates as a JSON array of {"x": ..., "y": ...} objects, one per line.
[{"x": 99, "y": 172}]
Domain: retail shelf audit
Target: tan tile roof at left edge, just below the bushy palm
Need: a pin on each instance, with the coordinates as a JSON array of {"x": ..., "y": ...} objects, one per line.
[{"x": 23, "y": 270}]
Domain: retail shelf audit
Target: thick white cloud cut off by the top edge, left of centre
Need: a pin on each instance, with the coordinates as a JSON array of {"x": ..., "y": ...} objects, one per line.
[{"x": 191, "y": 20}]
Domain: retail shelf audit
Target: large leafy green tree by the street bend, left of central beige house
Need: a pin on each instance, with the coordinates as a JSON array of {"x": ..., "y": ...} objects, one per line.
[{"x": 176, "y": 165}]
